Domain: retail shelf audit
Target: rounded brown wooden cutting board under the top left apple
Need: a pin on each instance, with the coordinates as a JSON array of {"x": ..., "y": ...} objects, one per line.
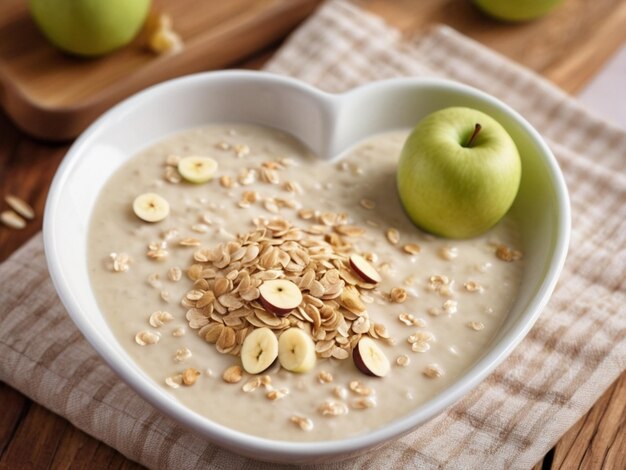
[{"x": 54, "y": 96}]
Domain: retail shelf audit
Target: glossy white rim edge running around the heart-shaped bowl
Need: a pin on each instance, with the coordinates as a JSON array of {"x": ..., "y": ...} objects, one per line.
[{"x": 269, "y": 448}]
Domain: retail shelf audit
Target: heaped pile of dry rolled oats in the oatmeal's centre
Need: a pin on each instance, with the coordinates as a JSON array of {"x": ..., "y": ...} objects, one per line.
[{"x": 223, "y": 302}]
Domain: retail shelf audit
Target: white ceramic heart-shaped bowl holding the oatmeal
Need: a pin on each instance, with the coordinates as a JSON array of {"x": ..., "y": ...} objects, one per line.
[{"x": 328, "y": 124}]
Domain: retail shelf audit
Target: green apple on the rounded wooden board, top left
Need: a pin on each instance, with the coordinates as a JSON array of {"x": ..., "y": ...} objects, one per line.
[{"x": 89, "y": 27}]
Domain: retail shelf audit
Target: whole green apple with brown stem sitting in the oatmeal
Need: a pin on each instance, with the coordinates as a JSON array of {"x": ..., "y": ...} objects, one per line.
[{"x": 459, "y": 172}]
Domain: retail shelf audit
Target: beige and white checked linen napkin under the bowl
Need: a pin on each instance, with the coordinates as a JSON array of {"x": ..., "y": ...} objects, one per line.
[{"x": 574, "y": 352}]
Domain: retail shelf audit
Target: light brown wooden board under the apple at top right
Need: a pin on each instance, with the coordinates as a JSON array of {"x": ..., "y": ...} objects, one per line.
[{"x": 568, "y": 46}]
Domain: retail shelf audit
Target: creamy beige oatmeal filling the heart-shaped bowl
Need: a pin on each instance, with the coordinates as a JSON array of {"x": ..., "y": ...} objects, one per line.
[{"x": 181, "y": 295}]
